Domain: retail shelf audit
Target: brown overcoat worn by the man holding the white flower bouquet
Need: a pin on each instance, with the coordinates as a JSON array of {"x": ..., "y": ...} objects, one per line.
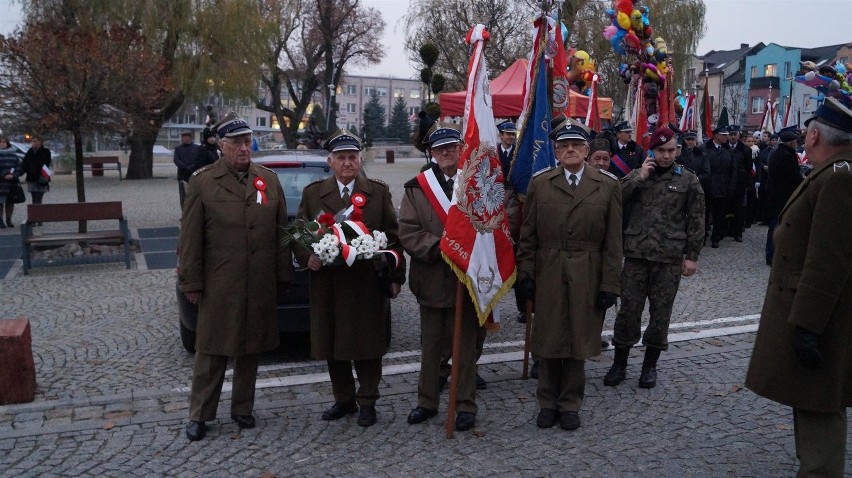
[{"x": 348, "y": 304}]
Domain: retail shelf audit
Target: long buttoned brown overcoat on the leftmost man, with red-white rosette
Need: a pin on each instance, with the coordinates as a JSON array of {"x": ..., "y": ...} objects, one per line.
[{"x": 230, "y": 250}]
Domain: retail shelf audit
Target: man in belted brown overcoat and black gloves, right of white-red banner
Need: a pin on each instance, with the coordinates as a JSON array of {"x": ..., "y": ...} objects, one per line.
[{"x": 569, "y": 260}]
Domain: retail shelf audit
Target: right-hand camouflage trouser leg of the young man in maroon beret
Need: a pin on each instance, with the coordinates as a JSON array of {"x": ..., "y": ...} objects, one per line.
[{"x": 663, "y": 286}]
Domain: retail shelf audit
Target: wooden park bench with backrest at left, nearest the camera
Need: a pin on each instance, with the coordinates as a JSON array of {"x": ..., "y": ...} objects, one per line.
[{"x": 73, "y": 212}]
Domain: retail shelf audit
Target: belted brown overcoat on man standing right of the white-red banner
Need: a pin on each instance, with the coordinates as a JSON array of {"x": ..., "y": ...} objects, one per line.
[{"x": 571, "y": 245}]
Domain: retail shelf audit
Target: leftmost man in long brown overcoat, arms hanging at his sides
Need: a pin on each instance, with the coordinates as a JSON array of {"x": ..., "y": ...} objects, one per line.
[{"x": 232, "y": 265}]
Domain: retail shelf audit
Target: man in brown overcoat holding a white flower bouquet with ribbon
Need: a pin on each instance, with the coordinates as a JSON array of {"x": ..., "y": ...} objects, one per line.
[{"x": 349, "y": 305}]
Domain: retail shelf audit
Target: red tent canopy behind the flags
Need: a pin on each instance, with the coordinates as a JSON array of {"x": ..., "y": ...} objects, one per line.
[{"x": 507, "y": 96}]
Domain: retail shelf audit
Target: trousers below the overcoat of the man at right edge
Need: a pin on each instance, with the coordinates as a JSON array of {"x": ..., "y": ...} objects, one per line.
[{"x": 820, "y": 443}]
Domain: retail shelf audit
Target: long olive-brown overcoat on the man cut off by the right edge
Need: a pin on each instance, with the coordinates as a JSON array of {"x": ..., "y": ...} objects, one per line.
[{"x": 810, "y": 286}]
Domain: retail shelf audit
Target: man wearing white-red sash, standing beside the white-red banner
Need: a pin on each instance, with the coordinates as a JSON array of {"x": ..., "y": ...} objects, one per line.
[{"x": 422, "y": 216}]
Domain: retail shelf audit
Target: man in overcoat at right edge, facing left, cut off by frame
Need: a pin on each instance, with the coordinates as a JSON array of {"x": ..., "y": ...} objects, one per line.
[{"x": 803, "y": 352}]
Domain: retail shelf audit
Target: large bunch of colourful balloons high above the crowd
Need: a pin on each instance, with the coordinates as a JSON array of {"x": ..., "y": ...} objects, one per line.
[{"x": 631, "y": 34}]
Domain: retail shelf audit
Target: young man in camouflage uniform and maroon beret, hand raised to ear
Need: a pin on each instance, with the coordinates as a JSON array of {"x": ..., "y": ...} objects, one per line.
[{"x": 662, "y": 240}]
